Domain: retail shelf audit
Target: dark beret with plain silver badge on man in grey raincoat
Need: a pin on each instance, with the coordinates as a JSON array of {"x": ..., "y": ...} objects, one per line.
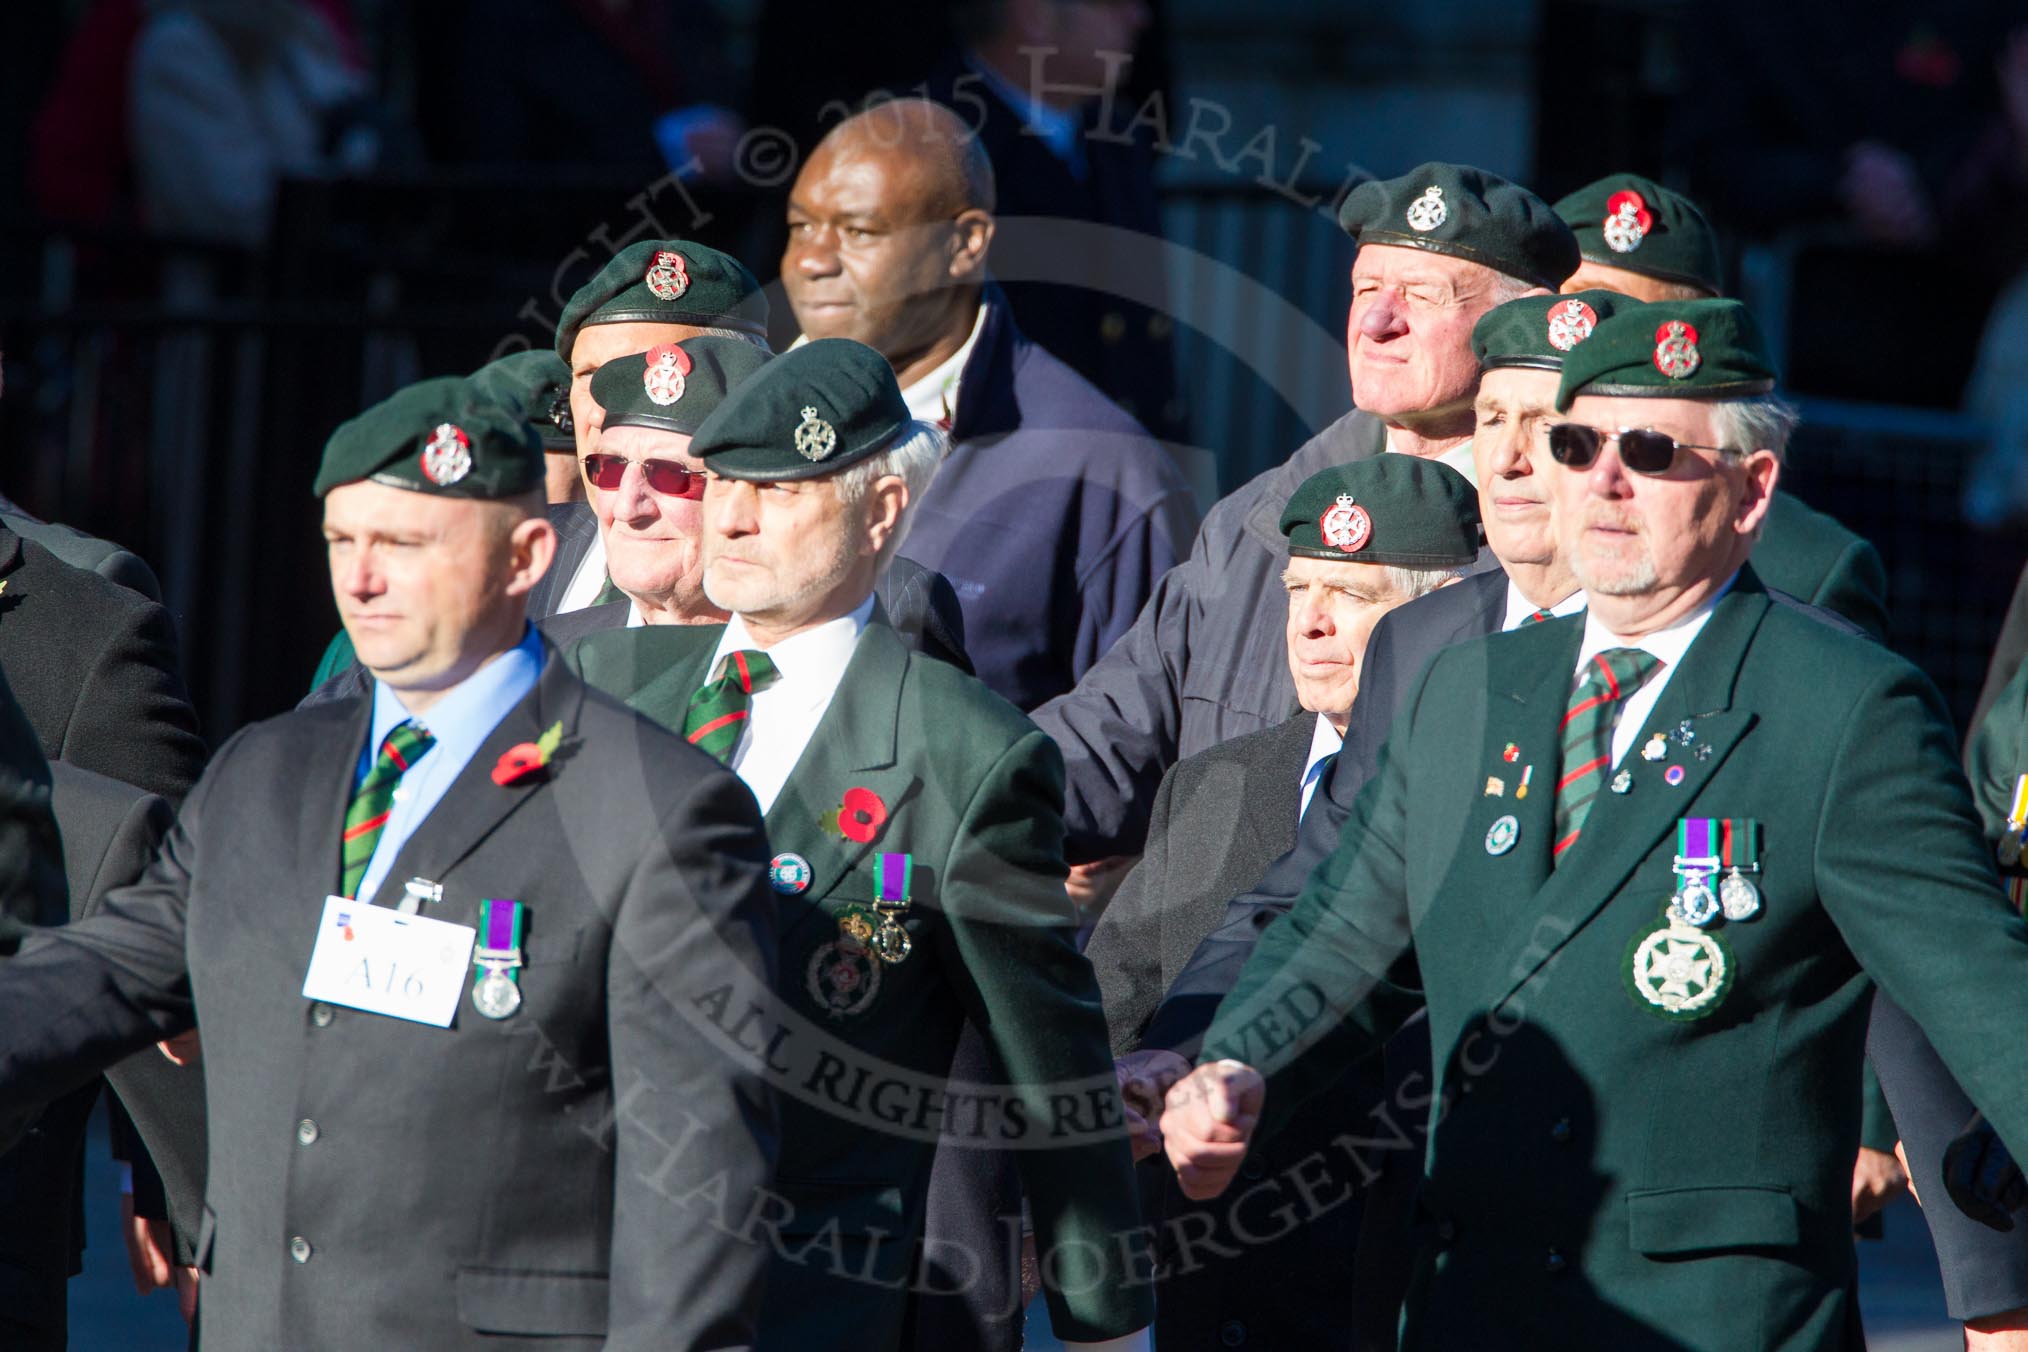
[{"x": 1467, "y": 214}]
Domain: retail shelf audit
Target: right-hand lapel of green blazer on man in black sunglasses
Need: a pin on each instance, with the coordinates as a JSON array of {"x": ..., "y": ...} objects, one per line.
[{"x": 1623, "y": 828}]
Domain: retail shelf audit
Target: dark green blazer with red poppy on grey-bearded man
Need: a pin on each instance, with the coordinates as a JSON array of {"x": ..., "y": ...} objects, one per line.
[{"x": 974, "y": 794}]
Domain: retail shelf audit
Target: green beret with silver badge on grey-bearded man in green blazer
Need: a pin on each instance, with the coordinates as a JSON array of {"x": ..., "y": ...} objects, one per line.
[{"x": 810, "y": 412}]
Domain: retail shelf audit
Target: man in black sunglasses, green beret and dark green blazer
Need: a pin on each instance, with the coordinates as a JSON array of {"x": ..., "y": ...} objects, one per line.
[{"x": 1646, "y": 978}]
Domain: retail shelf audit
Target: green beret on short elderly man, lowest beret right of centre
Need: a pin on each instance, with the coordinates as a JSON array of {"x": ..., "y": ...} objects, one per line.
[{"x": 1388, "y": 510}]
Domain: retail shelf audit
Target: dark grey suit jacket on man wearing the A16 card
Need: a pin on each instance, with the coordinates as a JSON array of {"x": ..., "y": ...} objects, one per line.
[{"x": 411, "y": 1187}]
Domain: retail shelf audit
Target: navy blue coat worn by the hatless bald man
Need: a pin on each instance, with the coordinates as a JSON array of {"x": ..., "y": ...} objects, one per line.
[{"x": 1054, "y": 516}]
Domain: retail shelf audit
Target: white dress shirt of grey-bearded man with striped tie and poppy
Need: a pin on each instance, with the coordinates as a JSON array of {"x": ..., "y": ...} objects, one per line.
[{"x": 786, "y": 712}]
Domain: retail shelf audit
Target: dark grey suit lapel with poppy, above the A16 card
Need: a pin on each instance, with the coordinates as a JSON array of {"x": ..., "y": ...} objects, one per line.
[{"x": 474, "y": 808}]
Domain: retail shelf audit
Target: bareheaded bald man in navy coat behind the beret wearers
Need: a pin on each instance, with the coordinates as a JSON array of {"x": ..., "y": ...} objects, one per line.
[{"x": 1056, "y": 512}]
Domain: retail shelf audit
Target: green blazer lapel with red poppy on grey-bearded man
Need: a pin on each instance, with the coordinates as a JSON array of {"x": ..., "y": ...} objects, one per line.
[{"x": 855, "y": 747}]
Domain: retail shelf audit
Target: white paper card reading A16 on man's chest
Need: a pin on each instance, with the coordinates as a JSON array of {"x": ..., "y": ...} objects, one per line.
[{"x": 378, "y": 960}]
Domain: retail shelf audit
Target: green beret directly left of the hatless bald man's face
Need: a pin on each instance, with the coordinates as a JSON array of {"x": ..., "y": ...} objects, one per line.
[{"x": 666, "y": 283}]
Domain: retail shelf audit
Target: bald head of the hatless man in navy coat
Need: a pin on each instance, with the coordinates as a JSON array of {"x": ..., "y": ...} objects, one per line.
[{"x": 889, "y": 226}]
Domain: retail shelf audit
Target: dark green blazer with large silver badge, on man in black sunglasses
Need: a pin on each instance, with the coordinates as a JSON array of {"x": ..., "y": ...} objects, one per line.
[{"x": 1605, "y": 1175}]
